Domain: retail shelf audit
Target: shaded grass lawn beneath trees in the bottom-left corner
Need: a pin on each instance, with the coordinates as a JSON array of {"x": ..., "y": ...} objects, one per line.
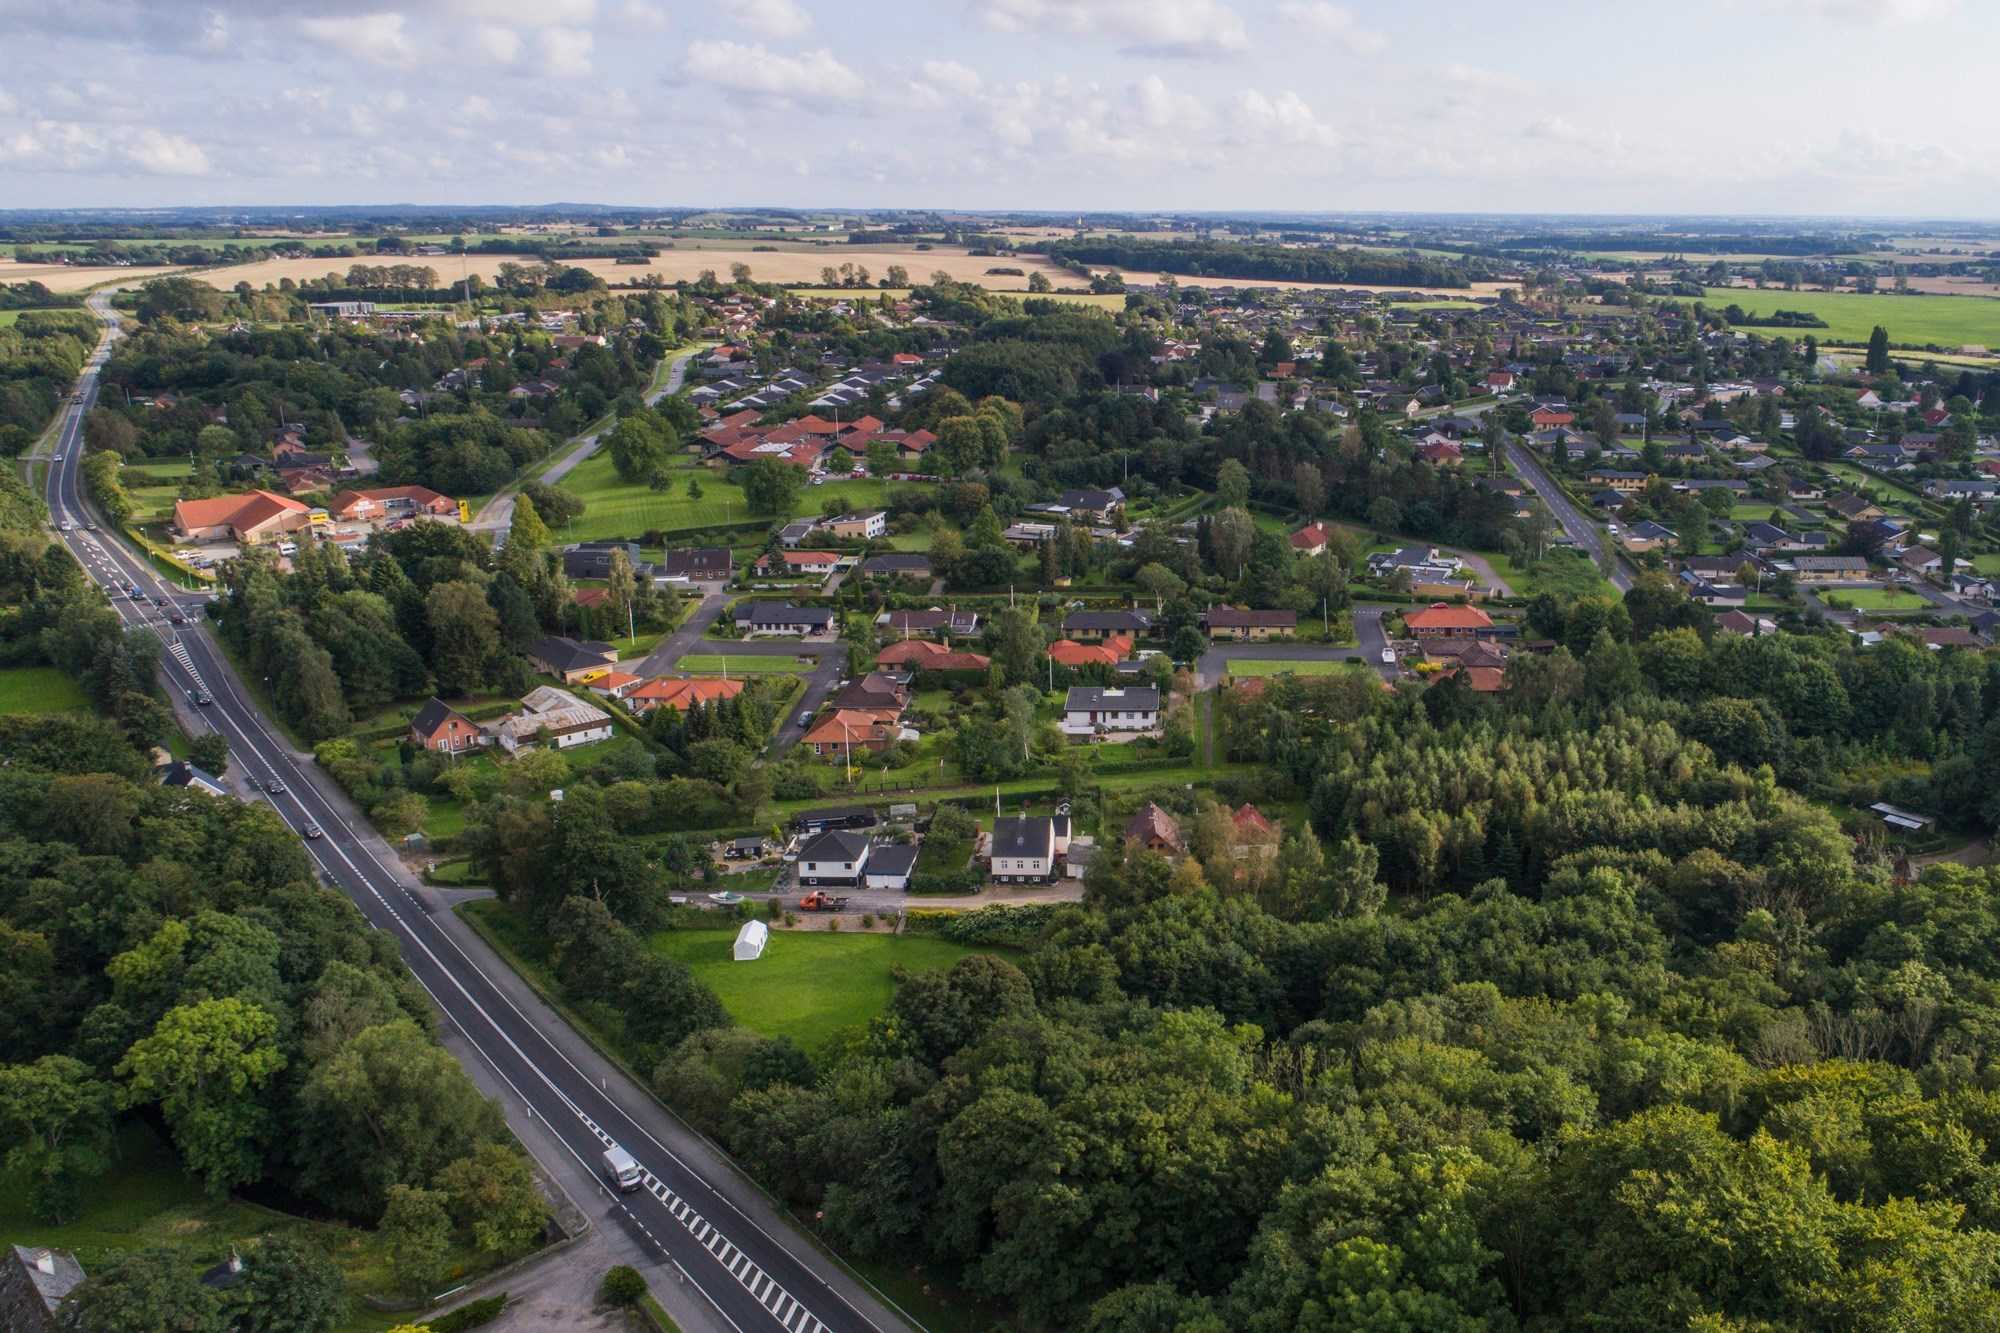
[{"x": 147, "y": 1200}]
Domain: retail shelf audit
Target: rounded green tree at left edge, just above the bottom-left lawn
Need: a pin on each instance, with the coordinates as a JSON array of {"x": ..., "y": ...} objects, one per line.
[{"x": 57, "y": 1124}]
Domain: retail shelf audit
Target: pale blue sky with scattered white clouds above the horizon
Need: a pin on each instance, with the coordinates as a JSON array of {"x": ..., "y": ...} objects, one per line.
[{"x": 1723, "y": 107}]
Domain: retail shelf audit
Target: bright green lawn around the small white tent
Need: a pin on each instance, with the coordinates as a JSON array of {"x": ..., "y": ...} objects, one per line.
[{"x": 811, "y": 986}]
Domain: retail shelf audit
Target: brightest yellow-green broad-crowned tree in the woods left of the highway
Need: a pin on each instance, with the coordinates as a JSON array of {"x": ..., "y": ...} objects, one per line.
[{"x": 207, "y": 1064}]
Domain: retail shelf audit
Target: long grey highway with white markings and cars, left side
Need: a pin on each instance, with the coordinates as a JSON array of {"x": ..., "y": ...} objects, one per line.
[{"x": 703, "y": 1218}]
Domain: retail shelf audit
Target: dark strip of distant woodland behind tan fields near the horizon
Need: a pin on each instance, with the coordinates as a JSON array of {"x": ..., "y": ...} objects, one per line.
[{"x": 1225, "y": 259}]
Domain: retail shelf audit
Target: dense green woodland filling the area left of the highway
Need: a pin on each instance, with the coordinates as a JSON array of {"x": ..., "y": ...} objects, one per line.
[{"x": 169, "y": 958}]
